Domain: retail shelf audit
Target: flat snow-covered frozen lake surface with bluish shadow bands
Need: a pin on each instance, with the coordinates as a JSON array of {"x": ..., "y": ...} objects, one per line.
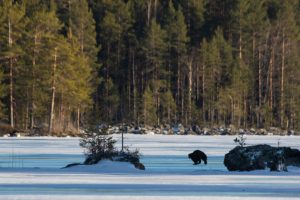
[{"x": 30, "y": 169}]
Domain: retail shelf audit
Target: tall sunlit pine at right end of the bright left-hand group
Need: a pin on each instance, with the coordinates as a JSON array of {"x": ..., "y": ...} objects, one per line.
[{"x": 81, "y": 32}]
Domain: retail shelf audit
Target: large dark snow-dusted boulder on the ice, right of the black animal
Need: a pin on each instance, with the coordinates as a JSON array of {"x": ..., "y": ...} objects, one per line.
[{"x": 261, "y": 157}]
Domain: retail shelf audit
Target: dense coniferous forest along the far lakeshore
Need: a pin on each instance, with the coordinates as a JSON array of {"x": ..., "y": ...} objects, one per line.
[{"x": 66, "y": 63}]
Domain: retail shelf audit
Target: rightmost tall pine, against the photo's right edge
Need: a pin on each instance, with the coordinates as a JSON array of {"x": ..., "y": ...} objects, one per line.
[{"x": 289, "y": 65}]
